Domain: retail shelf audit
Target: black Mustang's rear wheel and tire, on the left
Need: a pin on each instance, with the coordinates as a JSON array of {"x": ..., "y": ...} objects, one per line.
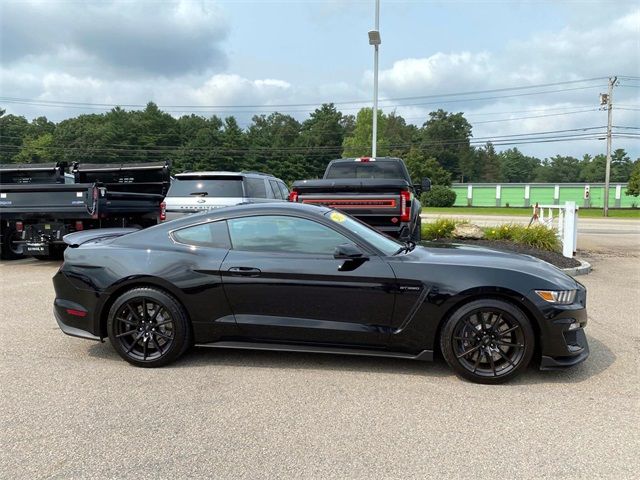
[{"x": 154, "y": 338}]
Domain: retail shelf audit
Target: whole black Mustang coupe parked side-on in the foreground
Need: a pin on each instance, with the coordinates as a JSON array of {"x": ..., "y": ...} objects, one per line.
[{"x": 304, "y": 278}]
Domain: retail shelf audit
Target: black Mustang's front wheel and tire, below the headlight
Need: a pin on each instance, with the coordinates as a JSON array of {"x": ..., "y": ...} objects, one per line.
[{"x": 487, "y": 341}]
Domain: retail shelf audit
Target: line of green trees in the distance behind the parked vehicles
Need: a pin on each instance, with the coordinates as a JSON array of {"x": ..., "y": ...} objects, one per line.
[{"x": 442, "y": 148}]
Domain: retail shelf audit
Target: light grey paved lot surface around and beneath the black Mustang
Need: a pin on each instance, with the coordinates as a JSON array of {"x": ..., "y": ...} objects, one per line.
[{"x": 72, "y": 409}]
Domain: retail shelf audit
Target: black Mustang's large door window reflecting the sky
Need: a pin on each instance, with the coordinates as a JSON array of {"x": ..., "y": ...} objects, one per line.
[{"x": 282, "y": 234}]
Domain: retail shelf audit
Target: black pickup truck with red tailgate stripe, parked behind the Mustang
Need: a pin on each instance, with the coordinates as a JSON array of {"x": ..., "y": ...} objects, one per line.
[{"x": 378, "y": 191}]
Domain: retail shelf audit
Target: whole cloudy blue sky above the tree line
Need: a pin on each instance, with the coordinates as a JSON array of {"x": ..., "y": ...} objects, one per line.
[{"x": 64, "y": 58}]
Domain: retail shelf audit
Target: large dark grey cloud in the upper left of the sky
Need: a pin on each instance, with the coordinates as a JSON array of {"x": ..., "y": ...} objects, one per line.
[{"x": 137, "y": 38}]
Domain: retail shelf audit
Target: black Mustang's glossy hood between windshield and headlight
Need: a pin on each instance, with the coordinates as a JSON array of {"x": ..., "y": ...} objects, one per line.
[{"x": 473, "y": 256}]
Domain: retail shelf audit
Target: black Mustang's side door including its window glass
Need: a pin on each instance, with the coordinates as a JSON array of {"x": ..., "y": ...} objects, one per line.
[{"x": 283, "y": 284}]
